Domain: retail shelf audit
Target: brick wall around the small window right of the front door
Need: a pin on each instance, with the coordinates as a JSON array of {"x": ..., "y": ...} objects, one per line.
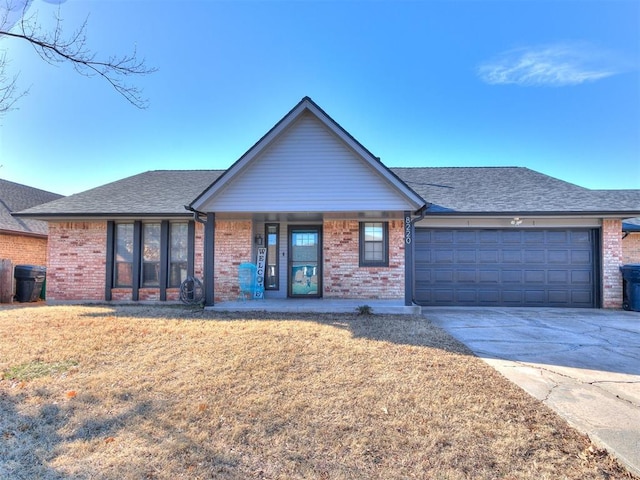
[{"x": 344, "y": 278}]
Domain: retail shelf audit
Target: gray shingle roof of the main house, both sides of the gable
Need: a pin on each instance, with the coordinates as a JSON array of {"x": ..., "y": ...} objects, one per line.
[{"x": 448, "y": 190}]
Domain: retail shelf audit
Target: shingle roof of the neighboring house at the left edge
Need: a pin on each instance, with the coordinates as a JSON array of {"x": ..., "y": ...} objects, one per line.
[{"x": 15, "y": 197}]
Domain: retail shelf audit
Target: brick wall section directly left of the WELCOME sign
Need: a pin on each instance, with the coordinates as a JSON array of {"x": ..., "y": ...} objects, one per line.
[{"x": 233, "y": 246}]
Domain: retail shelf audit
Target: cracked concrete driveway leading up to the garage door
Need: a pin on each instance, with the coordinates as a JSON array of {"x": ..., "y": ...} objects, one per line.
[{"x": 584, "y": 364}]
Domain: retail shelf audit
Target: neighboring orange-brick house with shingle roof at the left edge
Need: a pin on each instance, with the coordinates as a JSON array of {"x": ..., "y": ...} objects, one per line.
[{"x": 22, "y": 240}]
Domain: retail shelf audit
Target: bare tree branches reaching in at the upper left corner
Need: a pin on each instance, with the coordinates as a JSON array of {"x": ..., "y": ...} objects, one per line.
[{"x": 55, "y": 48}]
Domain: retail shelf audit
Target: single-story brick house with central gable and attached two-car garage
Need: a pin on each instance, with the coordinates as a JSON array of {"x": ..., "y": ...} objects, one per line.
[{"x": 337, "y": 223}]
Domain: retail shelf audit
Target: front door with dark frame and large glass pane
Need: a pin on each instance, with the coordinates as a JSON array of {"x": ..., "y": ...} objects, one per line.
[{"x": 305, "y": 261}]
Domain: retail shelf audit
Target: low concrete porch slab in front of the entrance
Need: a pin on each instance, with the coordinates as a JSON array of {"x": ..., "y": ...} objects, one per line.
[{"x": 315, "y": 305}]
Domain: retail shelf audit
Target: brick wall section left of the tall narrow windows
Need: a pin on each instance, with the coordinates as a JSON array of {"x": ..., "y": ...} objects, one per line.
[{"x": 77, "y": 255}]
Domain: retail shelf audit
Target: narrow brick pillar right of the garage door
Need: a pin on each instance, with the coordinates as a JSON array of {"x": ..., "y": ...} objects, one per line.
[{"x": 612, "y": 258}]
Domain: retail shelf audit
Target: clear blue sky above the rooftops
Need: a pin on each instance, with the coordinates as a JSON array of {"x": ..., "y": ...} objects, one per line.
[{"x": 549, "y": 85}]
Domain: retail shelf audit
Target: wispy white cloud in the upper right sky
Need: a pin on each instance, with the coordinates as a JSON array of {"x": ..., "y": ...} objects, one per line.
[{"x": 551, "y": 65}]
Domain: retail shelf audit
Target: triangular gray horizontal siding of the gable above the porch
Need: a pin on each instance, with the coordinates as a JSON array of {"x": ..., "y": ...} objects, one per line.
[{"x": 307, "y": 168}]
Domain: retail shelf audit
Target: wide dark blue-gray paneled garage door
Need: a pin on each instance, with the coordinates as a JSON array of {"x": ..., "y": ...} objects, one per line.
[{"x": 486, "y": 267}]
